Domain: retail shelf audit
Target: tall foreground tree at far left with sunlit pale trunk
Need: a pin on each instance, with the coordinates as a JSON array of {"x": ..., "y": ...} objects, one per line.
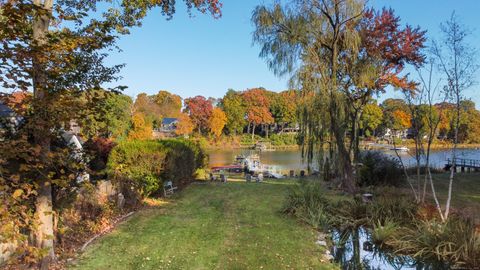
[{"x": 57, "y": 49}]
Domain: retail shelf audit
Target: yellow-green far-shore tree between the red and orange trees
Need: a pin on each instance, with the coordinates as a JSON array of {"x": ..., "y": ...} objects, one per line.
[{"x": 235, "y": 109}]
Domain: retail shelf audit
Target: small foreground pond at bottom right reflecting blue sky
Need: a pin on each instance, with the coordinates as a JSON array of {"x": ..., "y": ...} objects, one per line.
[{"x": 356, "y": 251}]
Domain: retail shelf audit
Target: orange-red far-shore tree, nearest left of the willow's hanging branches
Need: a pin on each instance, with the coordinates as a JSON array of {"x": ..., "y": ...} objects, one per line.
[{"x": 258, "y": 107}]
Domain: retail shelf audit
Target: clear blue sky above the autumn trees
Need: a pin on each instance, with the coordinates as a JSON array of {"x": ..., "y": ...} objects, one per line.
[{"x": 203, "y": 56}]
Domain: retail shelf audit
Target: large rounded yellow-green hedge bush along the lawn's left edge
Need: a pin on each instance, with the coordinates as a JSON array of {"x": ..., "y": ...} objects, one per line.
[{"x": 143, "y": 166}]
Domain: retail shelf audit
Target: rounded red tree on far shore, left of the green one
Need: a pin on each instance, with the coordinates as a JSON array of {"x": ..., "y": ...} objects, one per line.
[{"x": 200, "y": 110}]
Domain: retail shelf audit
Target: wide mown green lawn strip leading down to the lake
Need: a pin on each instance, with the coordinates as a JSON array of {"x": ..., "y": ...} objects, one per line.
[{"x": 211, "y": 226}]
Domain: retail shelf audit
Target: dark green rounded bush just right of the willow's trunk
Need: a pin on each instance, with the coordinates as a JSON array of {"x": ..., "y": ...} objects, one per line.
[{"x": 379, "y": 169}]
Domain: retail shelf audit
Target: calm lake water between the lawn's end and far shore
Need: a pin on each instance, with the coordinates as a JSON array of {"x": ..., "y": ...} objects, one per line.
[{"x": 291, "y": 159}]
